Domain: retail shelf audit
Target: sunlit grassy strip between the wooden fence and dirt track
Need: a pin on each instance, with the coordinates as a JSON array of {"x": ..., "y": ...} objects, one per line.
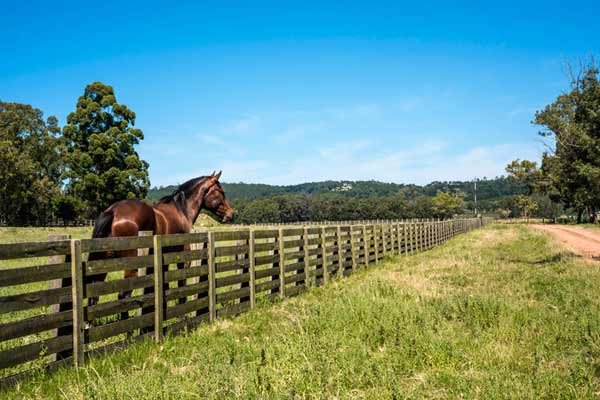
[{"x": 498, "y": 313}]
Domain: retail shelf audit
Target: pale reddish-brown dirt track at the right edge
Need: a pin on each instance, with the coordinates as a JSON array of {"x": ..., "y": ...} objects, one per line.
[{"x": 580, "y": 240}]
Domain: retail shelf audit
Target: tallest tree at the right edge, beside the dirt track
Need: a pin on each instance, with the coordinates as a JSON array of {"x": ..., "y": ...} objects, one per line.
[{"x": 571, "y": 171}]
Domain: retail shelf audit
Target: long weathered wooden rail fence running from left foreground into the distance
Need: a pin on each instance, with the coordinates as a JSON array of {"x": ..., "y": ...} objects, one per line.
[{"x": 46, "y": 319}]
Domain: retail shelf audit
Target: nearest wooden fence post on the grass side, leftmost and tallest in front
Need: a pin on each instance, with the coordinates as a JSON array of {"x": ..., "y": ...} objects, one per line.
[{"x": 77, "y": 298}]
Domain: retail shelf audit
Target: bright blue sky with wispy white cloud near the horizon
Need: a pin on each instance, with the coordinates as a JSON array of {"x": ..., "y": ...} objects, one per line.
[{"x": 288, "y": 92}]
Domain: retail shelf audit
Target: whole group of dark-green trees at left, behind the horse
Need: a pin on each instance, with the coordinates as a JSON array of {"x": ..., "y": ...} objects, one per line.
[{"x": 76, "y": 171}]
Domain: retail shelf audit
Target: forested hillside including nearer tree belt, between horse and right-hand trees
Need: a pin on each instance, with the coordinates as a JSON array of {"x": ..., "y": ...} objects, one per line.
[{"x": 354, "y": 200}]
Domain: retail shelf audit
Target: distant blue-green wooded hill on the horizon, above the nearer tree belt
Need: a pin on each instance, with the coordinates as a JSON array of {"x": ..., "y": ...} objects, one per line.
[{"x": 487, "y": 189}]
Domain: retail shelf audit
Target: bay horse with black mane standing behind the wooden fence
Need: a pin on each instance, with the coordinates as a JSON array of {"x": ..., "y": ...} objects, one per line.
[{"x": 175, "y": 213}]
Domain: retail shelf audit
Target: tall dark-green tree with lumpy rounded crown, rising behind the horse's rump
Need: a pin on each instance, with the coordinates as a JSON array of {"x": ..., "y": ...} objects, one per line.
[{"x": 102, "y": 164}]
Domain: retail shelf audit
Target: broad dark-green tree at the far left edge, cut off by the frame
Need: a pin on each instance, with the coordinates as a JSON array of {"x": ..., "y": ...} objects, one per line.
[{"x": 30, "y": 163}]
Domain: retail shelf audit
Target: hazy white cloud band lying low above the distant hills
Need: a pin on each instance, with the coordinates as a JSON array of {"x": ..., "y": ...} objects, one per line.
[{"x": 419, "y": 164}]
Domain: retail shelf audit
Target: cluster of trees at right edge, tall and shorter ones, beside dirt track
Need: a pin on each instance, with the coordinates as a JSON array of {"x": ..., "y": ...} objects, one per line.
[{"x": 568, "y": 176}]
